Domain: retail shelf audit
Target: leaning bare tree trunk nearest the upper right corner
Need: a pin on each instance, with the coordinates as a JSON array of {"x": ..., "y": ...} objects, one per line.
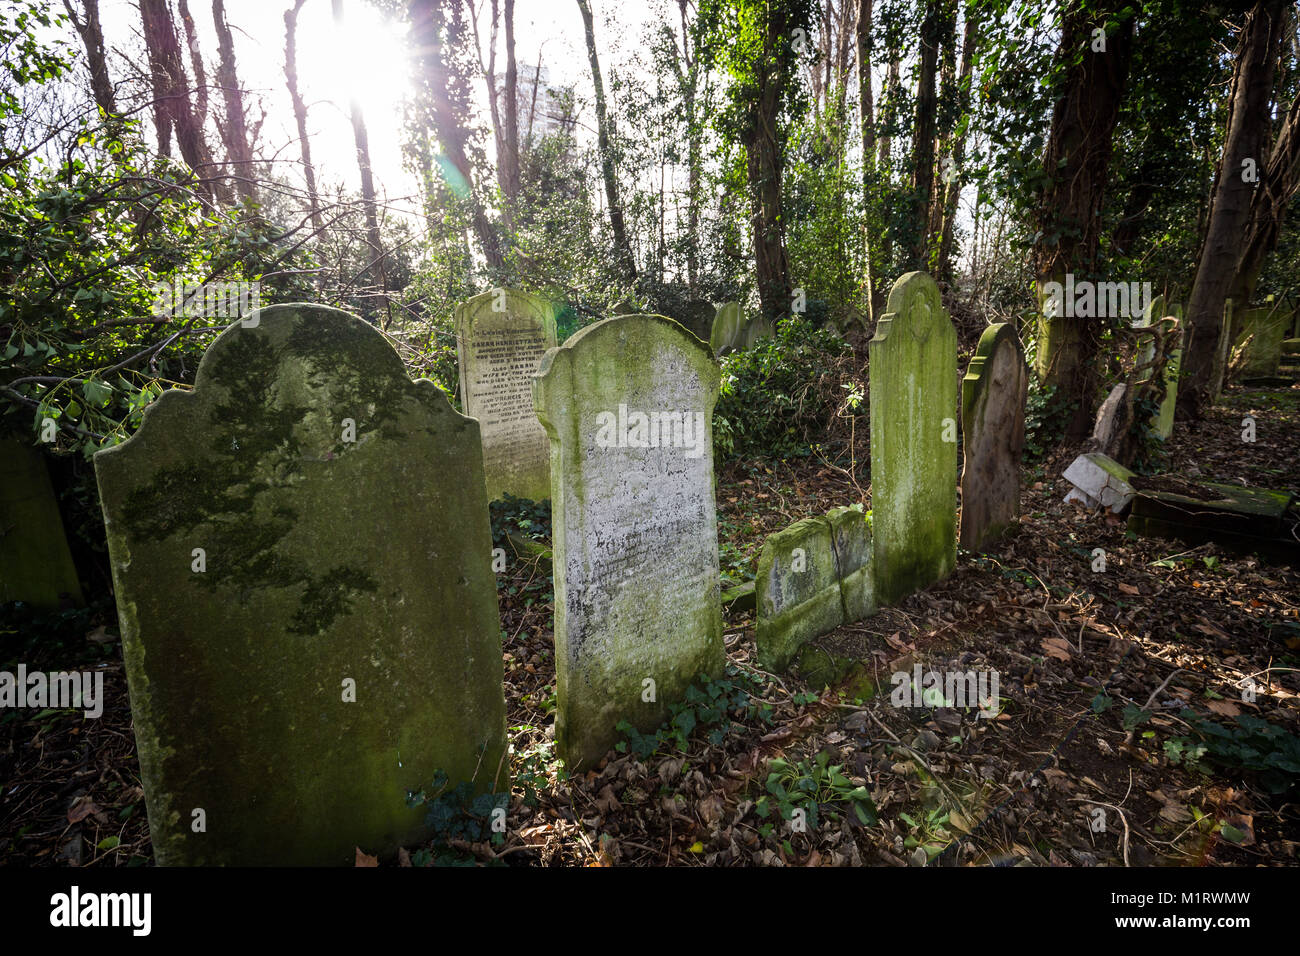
[{"x": 1230, "y": 210}]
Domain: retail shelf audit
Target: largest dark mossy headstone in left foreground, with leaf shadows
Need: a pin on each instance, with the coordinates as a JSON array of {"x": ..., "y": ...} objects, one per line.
[{"x": 301, "y": 552}]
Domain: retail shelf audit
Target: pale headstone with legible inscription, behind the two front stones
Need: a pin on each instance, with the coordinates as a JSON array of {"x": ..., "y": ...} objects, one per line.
[{"x": 501, "y": 339}]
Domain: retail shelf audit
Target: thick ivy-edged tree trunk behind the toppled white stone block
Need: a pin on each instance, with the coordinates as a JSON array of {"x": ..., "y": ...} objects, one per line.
[{"x": 1069, "y": 218}]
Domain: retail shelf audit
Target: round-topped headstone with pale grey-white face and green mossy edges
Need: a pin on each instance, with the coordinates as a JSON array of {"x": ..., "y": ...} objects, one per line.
[{"x": 629, "y": 406}]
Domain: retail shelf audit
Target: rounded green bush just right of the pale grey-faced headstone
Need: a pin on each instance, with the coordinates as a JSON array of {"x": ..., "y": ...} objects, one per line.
[{"x": 775, "y": 399}]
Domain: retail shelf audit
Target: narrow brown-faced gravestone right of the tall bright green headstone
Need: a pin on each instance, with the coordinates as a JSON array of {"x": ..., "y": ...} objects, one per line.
[{"x": 994, "y": 395}]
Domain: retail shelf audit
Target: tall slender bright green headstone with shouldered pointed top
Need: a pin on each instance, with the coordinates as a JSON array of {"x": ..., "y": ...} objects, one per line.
[{"x": 913, "y": 366}]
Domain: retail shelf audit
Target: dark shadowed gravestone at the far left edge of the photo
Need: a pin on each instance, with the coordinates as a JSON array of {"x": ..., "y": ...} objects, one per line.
[{"x": 36, "y": 565}]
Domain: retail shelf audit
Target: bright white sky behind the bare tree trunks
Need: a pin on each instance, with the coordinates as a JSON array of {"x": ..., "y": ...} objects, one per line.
[{"x": 370, "y": 60}]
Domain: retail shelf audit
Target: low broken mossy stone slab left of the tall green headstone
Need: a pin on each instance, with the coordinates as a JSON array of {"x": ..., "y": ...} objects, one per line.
[{"x": 813, "y": 577}]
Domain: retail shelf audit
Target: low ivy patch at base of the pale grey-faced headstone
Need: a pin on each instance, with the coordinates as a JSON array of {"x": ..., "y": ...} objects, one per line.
[{"x": 709, "y": 706}]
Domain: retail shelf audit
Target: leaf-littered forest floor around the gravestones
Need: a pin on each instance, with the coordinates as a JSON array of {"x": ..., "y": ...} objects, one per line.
[{"x": 1099, "y": 754}]
